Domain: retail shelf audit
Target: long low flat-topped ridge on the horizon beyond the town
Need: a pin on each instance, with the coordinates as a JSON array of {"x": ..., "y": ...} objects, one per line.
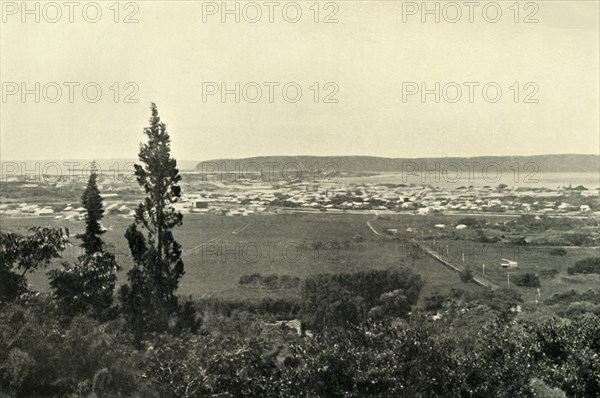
[{"x": 355, "y": 164}]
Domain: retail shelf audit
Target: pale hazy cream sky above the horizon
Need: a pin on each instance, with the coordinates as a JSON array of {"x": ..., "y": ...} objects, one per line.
[{"x": 370, "y": 54}]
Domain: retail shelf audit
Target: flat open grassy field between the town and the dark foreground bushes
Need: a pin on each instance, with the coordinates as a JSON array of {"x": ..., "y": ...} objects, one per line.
[{"x": 218, "y": 250}]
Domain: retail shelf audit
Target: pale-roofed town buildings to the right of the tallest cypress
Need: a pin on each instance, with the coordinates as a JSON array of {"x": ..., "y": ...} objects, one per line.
[{"x": 236, "y": 200}]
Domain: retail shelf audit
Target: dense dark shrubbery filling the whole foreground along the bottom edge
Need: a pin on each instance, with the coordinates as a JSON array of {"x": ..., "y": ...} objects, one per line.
[{"x": 43, "y": 356}]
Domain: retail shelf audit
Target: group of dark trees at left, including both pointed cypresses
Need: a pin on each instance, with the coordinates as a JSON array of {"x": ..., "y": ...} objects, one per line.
[{"x": 148, "y": 300}]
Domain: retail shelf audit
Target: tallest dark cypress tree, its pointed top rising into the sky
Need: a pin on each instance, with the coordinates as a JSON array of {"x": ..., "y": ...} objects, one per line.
[{"x": 150, "y": 298}]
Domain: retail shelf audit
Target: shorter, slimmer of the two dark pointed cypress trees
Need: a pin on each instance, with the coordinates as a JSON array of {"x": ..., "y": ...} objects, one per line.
[{"x": 92, "y": 202}]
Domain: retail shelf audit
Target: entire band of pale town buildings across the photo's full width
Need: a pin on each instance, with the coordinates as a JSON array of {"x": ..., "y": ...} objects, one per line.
[{"x": 248, "y": 199}]
